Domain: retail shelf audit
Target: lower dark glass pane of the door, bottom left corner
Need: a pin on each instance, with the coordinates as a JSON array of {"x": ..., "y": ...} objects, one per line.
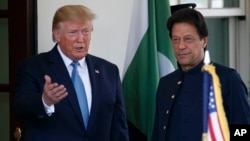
[{"x": 4, "y": 118}]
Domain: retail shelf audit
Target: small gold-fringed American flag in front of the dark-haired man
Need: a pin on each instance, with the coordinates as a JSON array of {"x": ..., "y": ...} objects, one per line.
[{"x": 215, "y": 126}]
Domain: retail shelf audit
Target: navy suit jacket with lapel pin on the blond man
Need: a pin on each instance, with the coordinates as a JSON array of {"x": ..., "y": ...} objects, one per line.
[{"x": 107, "y": 120}]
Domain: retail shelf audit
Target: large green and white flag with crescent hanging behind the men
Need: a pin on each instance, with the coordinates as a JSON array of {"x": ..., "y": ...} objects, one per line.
[{"x": 147, "y": 50}]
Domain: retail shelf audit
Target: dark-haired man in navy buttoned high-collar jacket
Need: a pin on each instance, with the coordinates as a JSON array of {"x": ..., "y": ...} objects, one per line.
[{"x": 179, "y": 99}]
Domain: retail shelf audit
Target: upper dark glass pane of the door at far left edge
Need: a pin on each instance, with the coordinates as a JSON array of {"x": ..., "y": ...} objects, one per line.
[{"x": 4, "y": 52}]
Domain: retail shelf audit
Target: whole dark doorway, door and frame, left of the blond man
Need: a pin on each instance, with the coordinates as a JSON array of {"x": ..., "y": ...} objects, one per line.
[{"x": 19, "y": 23}]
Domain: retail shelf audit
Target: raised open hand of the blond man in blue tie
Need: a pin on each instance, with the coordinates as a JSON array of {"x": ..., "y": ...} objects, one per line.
[{"x": 52, "y": 92}]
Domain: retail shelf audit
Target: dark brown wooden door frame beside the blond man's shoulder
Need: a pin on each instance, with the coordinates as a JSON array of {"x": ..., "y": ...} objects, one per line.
[{"x": 22, "y": 17}]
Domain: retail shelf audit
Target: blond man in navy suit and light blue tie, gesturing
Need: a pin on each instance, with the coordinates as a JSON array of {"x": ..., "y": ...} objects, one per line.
[{"x": 46, "y": 98}]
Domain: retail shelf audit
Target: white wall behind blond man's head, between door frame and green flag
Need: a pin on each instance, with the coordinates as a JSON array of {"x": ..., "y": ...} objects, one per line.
[{"x": 111, "y": 27}]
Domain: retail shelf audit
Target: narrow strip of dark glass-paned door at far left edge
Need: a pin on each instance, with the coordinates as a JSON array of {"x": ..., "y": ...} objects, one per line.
[{"x": 4, "y": 72}]
